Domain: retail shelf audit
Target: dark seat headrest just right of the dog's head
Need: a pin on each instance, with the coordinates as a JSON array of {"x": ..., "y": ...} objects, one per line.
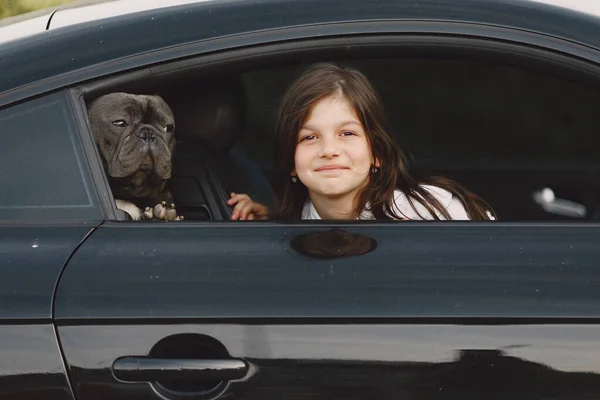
[{"x": 209, "y": 112}]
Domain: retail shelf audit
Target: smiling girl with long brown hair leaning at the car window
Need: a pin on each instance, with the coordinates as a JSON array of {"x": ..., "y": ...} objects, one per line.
[{"x": 335, "y": 159}]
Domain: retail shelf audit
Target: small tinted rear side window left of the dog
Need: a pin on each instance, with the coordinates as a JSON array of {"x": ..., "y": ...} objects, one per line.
[{"x": 43, "y": 174}]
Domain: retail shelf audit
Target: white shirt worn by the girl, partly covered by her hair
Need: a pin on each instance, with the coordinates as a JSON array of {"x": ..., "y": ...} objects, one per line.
[{"x": 403, "y": 208}]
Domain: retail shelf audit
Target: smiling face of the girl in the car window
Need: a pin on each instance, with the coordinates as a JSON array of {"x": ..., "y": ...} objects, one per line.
[{"x": 333, "y": 157}]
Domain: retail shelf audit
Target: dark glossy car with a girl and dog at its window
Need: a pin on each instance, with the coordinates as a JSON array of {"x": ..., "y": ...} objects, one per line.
[{"x": 502, "y": 96}]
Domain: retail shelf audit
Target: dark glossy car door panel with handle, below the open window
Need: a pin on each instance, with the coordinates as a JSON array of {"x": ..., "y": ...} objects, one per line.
[{"x": 265, "y": 310}]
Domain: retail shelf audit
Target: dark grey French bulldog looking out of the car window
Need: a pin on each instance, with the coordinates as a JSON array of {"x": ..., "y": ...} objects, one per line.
[{"x": 135, "y": 136}]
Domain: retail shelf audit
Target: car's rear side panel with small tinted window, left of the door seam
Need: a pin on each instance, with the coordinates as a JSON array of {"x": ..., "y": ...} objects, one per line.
[{"x": 46, "y": 211}]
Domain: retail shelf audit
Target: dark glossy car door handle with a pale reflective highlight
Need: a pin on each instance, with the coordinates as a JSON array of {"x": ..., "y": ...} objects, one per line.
[{"x": 149, "y": 369}]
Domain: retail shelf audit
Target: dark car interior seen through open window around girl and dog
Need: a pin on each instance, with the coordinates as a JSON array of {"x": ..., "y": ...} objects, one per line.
[{"x": 519, "y": 131}]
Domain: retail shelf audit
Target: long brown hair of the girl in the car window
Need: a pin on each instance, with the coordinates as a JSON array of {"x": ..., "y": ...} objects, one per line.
[{"x": 324, "y": 80}]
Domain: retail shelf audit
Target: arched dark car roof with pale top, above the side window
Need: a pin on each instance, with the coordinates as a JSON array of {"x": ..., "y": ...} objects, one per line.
[{"x": 85, "y": 36}]
